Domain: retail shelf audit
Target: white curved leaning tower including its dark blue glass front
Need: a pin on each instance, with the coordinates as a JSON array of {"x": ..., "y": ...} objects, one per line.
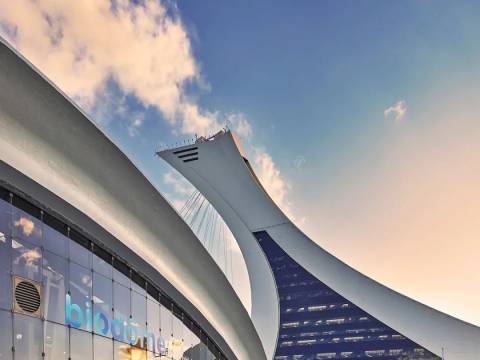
[{"x": 307, "y": 304}]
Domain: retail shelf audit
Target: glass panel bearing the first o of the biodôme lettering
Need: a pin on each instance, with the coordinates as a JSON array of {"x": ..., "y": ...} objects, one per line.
[{"x": 102, "y": 304}]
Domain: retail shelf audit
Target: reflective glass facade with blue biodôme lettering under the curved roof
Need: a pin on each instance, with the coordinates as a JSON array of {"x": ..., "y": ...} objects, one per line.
[{"x": 93, "y": 305}]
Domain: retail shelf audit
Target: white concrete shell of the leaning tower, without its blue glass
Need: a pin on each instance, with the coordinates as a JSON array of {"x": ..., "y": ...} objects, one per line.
[{"x": 219, "y": 169}]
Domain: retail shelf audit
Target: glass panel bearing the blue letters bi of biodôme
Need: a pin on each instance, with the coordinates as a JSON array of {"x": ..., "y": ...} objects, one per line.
[{"x": 81, "y": 296}]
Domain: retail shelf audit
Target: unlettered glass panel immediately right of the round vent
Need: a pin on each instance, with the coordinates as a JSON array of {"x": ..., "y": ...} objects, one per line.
[{"x": 54, "y": 273}]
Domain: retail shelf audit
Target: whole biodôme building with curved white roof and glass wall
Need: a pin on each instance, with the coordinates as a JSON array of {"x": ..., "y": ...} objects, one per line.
[{"x": 94, "y": 263}]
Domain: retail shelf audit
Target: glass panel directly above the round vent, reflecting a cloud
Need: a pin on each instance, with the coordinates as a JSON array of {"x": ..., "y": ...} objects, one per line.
[{"x": 26, "y": 260}]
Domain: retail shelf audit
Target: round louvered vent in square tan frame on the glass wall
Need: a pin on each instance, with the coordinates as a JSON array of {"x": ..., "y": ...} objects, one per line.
[{"x": 27, "y": 297}]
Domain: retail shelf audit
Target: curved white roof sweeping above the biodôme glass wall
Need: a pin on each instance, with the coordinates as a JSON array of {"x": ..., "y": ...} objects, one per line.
[{"x": 45, "y": 137}]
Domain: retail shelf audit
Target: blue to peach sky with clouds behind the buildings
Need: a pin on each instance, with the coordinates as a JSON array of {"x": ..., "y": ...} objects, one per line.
[{"x": 361, "y": 118}]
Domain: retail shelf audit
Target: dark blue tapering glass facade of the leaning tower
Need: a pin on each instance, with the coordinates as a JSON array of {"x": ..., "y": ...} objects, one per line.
[{"x": 318, "y": 323}]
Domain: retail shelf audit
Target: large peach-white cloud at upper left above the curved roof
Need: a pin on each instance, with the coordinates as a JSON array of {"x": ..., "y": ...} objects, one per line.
[{"x": 82, "y": 45}]
